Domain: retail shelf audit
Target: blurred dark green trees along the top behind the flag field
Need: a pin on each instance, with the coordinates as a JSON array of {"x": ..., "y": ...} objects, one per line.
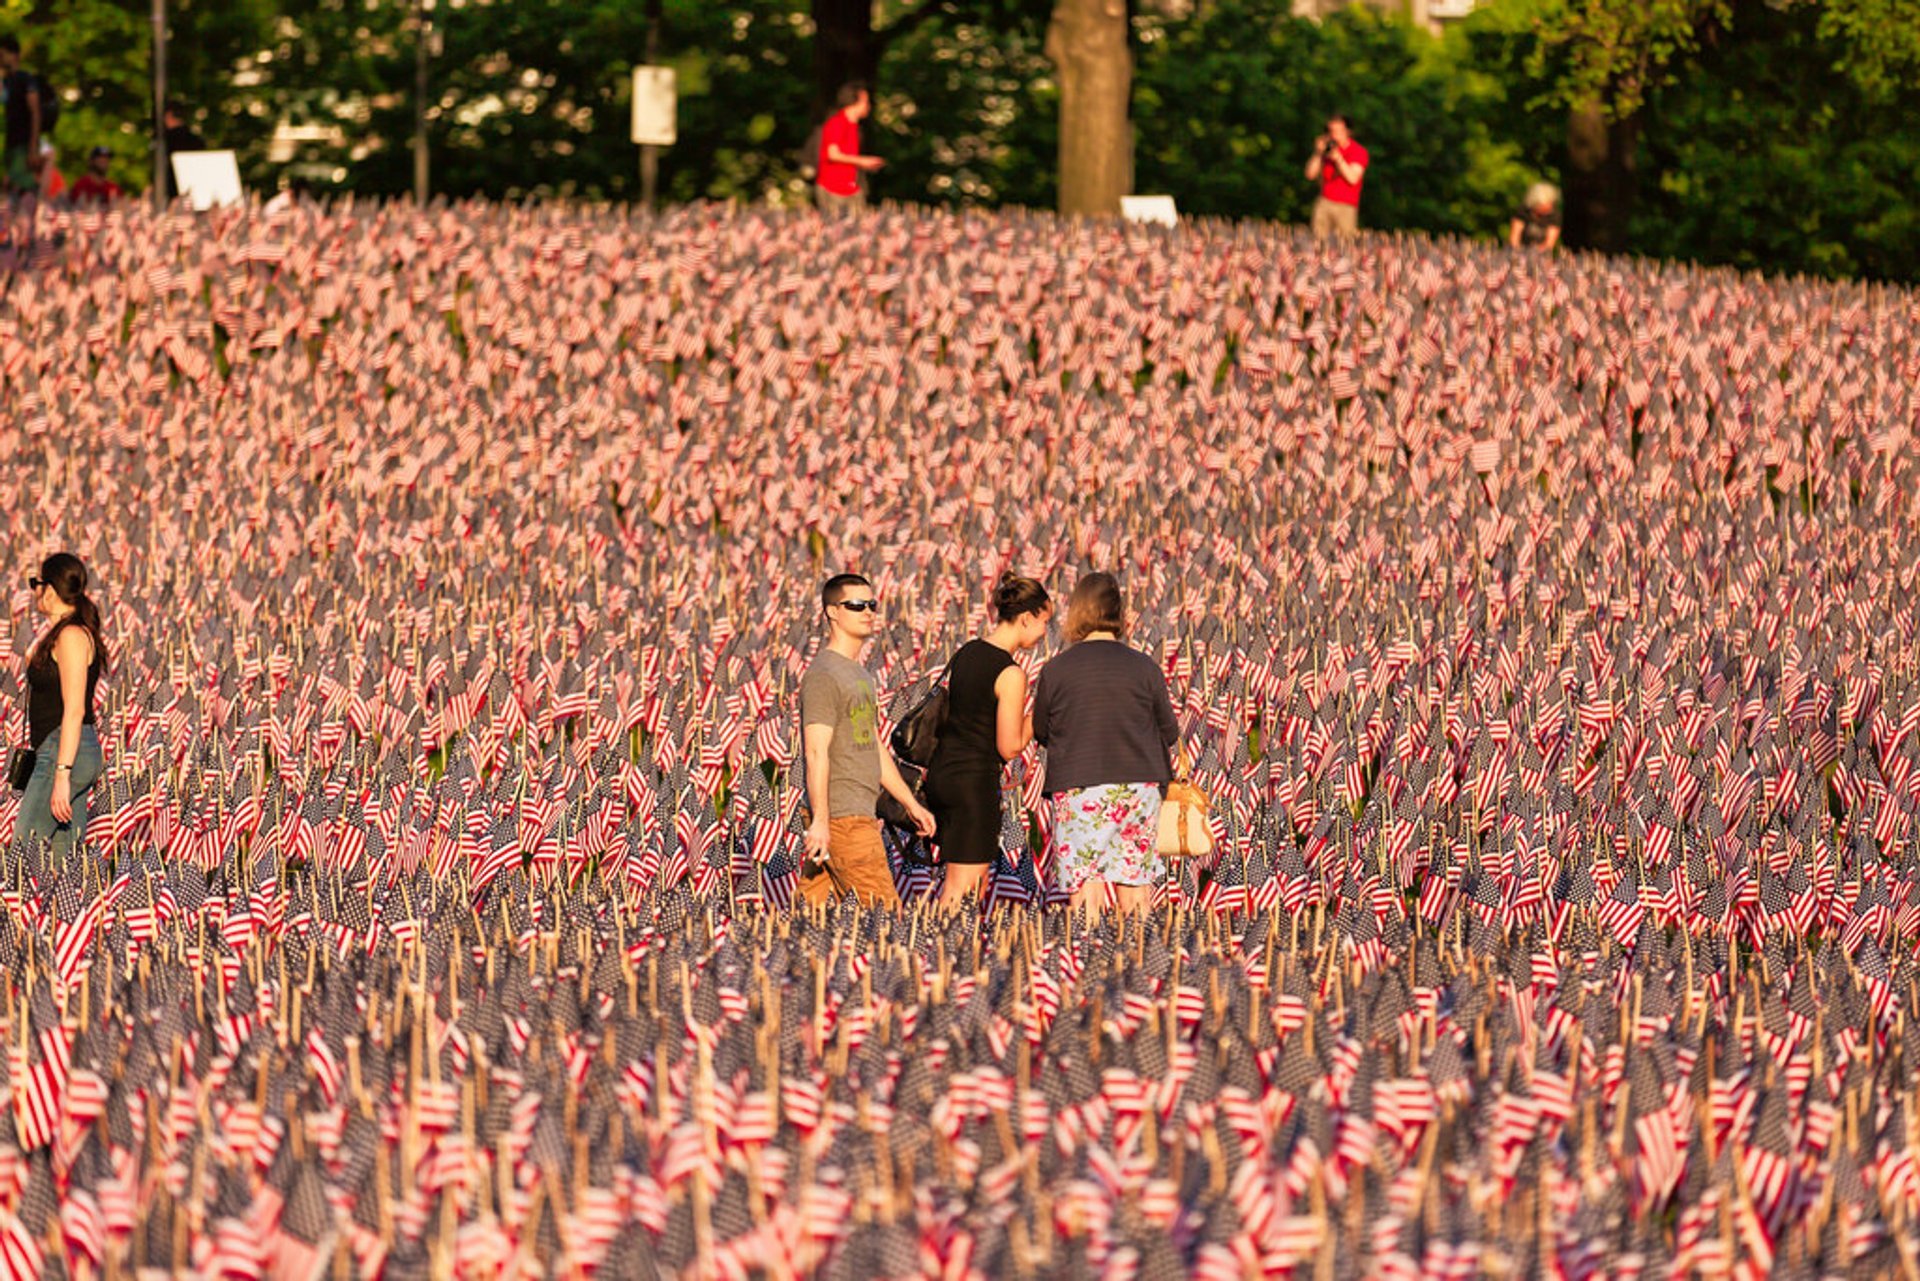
[{"x": 1762, "y": 133}]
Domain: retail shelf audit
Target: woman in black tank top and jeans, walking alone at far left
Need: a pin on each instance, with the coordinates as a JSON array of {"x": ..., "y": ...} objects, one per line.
[{"x": 62, "y": 675}]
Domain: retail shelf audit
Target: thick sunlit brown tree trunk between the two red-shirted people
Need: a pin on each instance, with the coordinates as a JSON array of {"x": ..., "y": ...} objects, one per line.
[{"x": 1088, "y": 45}]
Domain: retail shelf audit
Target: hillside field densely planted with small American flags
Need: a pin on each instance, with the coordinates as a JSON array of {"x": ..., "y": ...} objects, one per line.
[{"x": 1545, "y": 629}]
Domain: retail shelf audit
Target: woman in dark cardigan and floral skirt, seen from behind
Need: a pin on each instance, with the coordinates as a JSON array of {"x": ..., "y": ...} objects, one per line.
[{"x": 1105, "y": 717}]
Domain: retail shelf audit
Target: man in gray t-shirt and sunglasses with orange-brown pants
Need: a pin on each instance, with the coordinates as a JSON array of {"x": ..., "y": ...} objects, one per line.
[{"x": 846, "y": 761}]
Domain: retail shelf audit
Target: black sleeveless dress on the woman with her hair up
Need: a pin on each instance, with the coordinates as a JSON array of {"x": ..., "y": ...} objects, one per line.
[{"x": 965, "y": 775}]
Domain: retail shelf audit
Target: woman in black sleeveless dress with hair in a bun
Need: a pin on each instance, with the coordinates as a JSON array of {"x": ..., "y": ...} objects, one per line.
[{"x": 986, "y": 727}]
